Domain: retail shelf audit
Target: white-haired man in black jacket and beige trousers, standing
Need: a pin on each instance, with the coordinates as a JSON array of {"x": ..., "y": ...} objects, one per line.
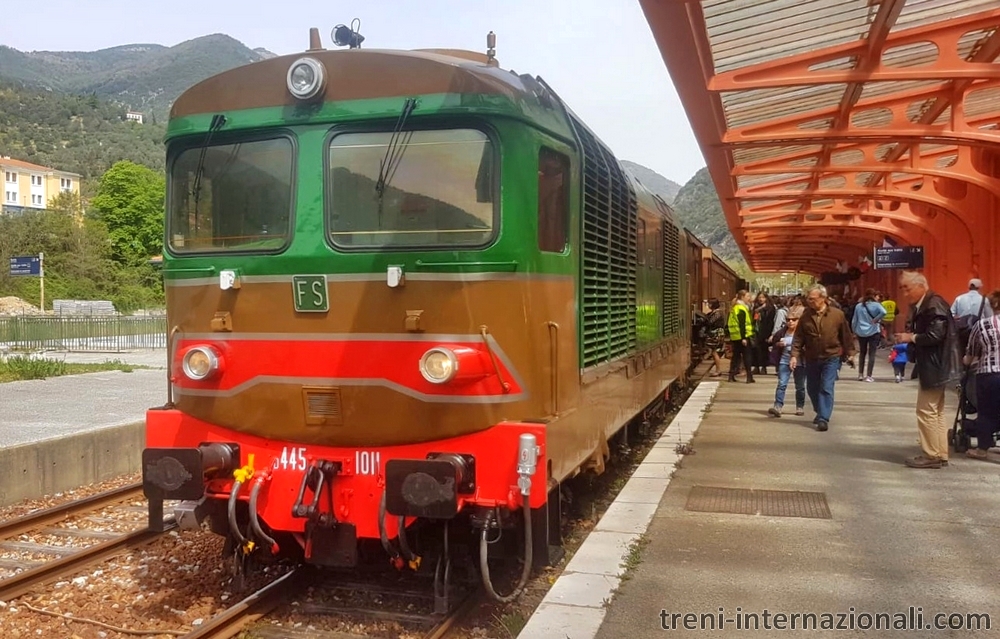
[{"x": 935, "y": 349}]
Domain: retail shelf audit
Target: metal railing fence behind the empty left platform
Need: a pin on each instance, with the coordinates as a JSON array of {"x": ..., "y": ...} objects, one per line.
[{"x": 100, "y": 334}]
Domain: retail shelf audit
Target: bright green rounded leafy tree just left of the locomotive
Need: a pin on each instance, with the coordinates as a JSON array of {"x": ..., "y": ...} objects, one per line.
[{"x": 129, "y": 201}]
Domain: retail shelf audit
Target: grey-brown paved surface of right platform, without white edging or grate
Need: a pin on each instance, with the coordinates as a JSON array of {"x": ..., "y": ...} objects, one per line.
[{"x": 898, "y": 537}]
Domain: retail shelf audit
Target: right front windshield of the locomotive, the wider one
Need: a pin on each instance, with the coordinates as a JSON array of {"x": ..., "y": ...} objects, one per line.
[{"x": 413, "y": 188}]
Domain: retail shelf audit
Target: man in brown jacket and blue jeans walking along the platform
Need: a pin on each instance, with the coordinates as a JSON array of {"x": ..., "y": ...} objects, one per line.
[{"x": 823, "y": 340}]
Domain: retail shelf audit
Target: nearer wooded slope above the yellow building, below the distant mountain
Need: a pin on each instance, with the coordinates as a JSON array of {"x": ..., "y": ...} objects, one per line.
[{"x": 80, "y": 134}]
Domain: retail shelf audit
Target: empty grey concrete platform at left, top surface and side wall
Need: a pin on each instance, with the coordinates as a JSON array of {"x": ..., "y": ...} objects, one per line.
[{"x": 63, "y": 432}]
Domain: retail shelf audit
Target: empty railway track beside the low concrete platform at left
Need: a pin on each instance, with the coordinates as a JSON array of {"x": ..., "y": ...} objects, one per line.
[{"x": 70, "y": 559}]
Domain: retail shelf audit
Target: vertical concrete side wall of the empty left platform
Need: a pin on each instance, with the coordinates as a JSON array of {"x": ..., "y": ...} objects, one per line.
[{"x": 30, "y": 471}]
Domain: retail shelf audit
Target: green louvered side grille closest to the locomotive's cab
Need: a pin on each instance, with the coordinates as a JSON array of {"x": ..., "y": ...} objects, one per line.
[{"x": 609, "y": 254}]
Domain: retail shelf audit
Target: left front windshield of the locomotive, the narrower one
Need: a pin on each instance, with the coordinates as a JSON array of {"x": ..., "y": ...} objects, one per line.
[{"x": 239, "y": 198}]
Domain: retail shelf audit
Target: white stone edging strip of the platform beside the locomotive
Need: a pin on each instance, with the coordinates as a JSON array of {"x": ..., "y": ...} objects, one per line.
[{"x": 575, "y": 606}]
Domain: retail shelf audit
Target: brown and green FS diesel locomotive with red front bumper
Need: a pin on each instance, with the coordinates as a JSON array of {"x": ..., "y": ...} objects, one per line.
[{"x": 408, "y": 292}]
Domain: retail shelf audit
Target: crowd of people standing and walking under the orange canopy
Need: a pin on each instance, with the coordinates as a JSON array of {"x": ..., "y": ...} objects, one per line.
[{"x": 807, "y": 338}]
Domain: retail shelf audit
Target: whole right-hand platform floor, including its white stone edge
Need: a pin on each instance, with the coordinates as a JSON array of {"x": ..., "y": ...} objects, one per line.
[{"x": 857, "y": 532}]
